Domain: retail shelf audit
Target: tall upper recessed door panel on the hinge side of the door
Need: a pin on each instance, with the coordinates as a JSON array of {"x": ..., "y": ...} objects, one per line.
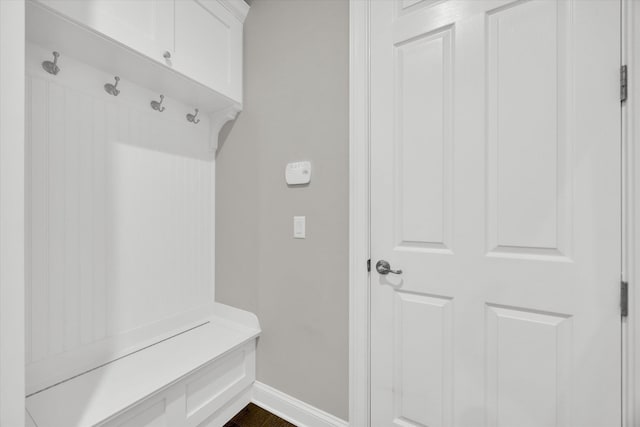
[{"x": 519, "y": 195}]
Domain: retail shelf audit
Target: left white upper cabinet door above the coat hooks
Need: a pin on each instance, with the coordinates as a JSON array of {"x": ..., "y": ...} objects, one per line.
[{"x": 144, "y": 25}]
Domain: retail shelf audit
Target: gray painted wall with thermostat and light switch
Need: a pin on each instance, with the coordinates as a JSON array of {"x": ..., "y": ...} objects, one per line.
[{"x": 296, "y": 108}]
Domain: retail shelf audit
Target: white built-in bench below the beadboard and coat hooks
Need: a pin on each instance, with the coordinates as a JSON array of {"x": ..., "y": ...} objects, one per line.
[{"x": 200, "y": 377}]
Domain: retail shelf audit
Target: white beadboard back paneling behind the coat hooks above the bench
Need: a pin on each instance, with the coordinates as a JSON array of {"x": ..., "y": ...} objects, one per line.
[{"x": 121, "y": 214}]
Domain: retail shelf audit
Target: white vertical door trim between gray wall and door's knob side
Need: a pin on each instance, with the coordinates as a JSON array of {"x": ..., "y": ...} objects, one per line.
[{"x": 359, "y": 352}]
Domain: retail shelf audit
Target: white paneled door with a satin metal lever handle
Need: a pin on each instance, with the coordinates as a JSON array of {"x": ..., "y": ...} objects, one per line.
[{"x": 496, "y": 189}]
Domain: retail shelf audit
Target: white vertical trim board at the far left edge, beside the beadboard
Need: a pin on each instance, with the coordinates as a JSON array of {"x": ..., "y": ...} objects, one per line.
[{"x": 12, "y": 238}]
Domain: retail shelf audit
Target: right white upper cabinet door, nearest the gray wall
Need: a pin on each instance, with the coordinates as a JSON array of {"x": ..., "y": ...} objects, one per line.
[{"x": 208, "y": 45}]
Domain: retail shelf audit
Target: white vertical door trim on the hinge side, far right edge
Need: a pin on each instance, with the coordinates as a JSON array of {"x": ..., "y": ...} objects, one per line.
[{"x": 631, "y": 210}]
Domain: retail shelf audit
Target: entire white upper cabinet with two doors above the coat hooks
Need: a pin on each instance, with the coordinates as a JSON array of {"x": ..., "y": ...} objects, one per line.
[{"x": 201, "y": 39}]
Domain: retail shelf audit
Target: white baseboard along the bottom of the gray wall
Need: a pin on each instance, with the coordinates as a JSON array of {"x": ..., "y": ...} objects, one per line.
[{"x": 291, "y": 409}]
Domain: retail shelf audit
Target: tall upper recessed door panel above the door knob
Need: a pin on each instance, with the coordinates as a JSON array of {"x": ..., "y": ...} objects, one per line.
[{"x": 423, "y": 180}]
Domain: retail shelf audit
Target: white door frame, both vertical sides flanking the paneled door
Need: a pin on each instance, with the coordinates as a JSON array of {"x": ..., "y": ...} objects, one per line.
[{"x": 359, "y": 215}]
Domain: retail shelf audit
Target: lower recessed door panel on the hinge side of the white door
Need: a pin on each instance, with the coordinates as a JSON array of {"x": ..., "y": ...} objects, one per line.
[{"x": 515, "y": 356}]
